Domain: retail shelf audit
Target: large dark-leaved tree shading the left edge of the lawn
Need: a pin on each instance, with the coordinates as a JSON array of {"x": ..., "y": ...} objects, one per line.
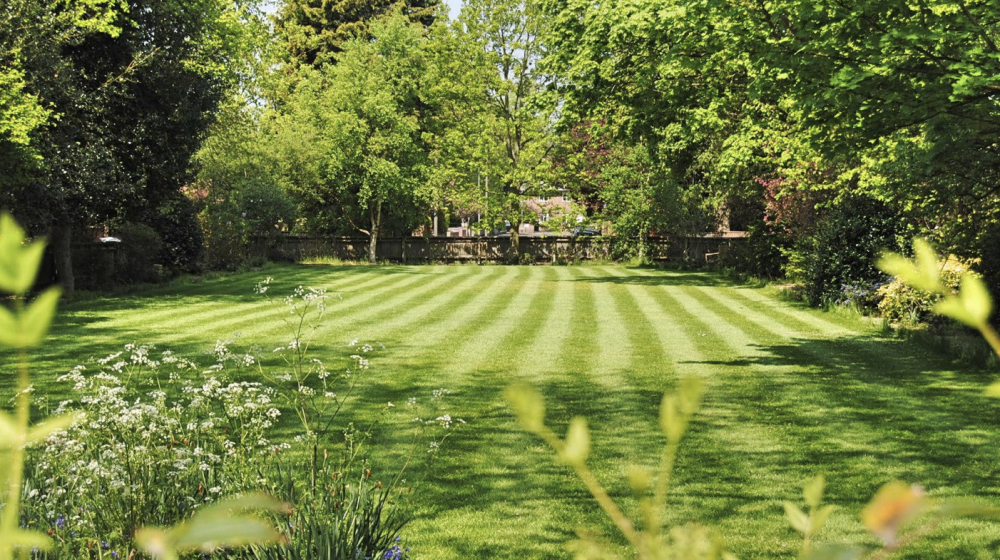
[{"x": 131, "y": 107}]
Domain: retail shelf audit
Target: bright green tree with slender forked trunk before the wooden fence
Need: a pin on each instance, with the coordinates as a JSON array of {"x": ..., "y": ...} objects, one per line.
[{"x": 364, "y": 165}]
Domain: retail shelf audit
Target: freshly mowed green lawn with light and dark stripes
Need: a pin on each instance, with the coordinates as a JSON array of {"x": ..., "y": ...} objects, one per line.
[{"x": 791, "y": 392}]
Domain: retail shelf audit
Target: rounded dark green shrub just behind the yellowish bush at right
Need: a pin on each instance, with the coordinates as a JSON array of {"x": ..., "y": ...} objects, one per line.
[{"x": 847, "y": 245}]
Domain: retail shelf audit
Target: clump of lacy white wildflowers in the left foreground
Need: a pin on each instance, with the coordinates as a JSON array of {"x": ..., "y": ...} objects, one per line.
[{"x": 139, "y": 457}]
